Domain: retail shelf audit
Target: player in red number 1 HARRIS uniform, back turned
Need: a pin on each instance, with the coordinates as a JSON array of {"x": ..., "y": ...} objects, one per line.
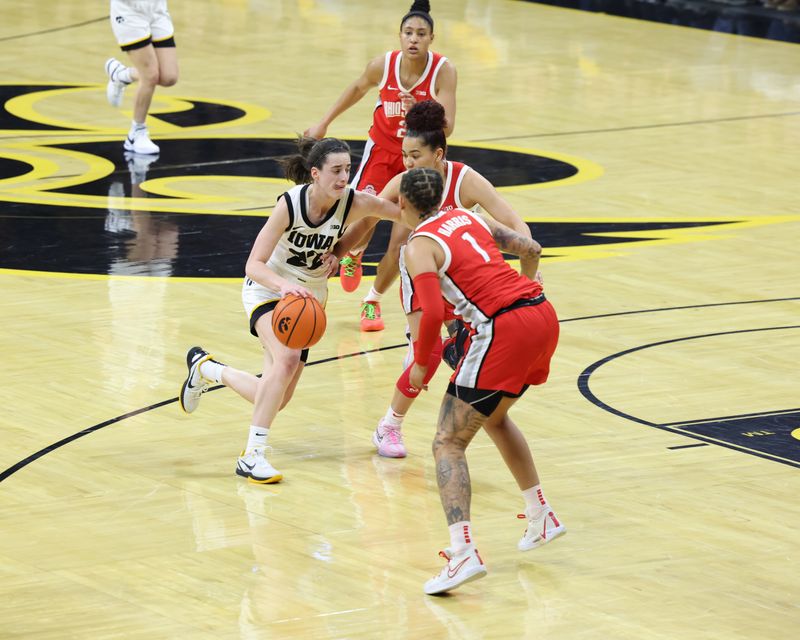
[{"x": 454, "y": 255}]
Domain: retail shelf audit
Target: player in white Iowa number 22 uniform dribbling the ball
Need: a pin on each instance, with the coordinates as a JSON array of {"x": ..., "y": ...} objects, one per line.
[{"x": 291, "y": 255}]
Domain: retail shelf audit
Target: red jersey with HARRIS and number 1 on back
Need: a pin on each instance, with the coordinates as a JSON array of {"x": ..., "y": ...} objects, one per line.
[{"x": 474, "y": 277}]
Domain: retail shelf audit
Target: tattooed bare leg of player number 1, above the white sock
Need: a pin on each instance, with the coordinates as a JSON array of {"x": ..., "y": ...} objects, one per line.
[{"x": 458, "y": 424}]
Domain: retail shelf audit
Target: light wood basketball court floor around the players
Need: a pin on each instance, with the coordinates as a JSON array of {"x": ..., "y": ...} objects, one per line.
[{"x": 140, "y": 529}]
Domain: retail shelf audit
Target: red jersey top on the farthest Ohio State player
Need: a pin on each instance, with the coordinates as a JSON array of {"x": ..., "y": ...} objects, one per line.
[{"x": 389, "y": 118}]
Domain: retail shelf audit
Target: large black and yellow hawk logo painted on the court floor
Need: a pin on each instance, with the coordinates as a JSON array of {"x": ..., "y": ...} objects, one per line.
[{"x": 88, "y": 222}]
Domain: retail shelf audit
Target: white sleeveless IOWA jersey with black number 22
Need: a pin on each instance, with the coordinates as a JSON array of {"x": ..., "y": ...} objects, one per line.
[{"x": 298, "y": 254}]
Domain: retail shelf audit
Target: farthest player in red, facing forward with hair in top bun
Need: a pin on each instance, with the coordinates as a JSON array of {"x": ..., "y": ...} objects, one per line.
[{"x": 404, "y": 77}]
